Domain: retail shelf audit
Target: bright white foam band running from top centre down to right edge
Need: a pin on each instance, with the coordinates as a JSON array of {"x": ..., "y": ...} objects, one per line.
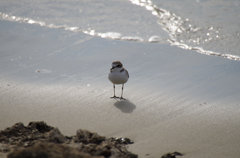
[{"x": 173, "y": 25}]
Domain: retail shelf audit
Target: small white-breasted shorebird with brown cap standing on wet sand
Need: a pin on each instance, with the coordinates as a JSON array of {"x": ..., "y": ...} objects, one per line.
[{"x": 118, "y": 75}]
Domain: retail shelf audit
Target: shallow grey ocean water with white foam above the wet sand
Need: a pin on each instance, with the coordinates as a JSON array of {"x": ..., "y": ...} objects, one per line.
[{"x": 209, "y": 27}]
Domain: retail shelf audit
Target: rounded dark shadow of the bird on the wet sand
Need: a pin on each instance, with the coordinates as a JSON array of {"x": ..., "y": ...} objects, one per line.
[{"x": 125, "y": 105}]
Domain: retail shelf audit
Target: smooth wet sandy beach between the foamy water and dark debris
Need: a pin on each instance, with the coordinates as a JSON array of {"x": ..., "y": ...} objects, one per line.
[{"x": 177, "y": 100}]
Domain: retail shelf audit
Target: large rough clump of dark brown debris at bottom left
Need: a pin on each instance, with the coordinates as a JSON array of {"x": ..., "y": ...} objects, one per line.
[{"x": 39, "y": 140}]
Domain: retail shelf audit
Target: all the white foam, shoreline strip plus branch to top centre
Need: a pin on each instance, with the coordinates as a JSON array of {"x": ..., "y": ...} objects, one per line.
[{"x": 171, "y": 23}]
